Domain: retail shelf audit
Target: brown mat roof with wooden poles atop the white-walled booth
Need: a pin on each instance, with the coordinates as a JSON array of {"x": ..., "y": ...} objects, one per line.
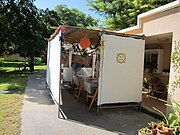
[{"x": 74, "y": 34}]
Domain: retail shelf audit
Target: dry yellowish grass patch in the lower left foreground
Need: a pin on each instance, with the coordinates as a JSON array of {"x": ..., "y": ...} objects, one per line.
[{"x": 10, "y": 108}]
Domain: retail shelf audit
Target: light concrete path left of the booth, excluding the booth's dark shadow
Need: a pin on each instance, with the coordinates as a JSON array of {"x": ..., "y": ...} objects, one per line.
[{"x": 39, "y": 113}]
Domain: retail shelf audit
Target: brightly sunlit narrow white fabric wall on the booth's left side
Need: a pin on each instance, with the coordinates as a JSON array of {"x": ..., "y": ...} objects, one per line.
[{"x": 53, "y": 67}]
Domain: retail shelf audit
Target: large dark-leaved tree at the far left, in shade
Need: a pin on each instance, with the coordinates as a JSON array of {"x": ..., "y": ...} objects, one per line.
[{"x": 23, "y": 30}]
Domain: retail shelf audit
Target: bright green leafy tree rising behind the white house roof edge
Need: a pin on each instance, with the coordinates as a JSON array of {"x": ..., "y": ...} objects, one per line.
[{"x": 121, "y": 14}]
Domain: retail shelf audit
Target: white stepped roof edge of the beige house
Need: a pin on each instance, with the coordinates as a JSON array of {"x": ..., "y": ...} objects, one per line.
[{"x": 150, "y": 13}]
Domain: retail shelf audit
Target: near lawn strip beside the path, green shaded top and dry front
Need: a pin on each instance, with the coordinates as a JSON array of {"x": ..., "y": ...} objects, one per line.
[{"x": 11, "y": 104}]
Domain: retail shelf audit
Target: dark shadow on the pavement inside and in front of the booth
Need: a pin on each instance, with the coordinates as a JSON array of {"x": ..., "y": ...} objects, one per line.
[{"x": 119, "y": 120}]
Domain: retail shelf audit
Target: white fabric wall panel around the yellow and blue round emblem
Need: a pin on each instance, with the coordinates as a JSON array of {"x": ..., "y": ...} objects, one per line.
[{"x": 120, "y": 83}]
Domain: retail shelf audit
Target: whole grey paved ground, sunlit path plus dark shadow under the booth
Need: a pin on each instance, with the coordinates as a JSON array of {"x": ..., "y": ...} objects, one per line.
[{"x": 39, "y": 114}]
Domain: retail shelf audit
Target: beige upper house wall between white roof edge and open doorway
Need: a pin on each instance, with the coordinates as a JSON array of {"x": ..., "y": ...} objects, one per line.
[{"x": 162, "y": 23}]
